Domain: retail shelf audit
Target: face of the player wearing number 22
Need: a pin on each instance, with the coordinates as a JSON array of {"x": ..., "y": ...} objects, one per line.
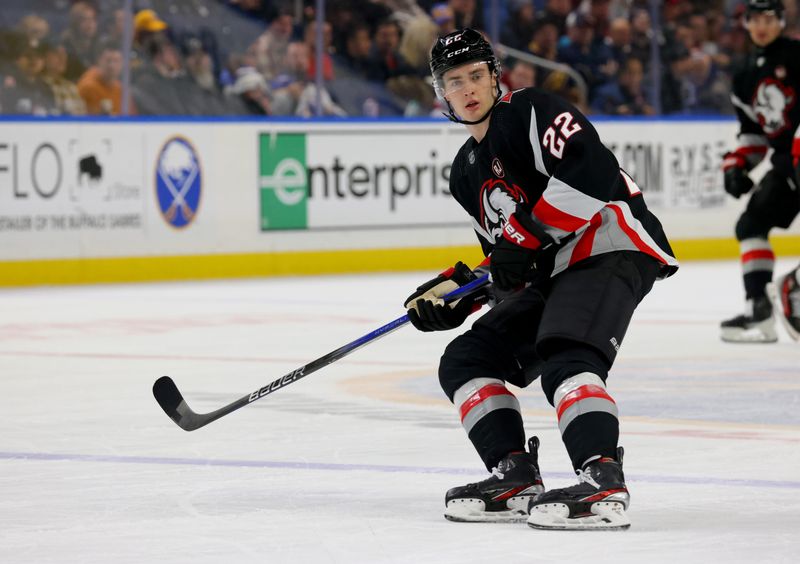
[{"x": 469, "y": 89}]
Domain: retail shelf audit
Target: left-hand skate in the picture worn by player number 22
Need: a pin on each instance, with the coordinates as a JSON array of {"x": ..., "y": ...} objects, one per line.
[{"x": 503, "y": 497}]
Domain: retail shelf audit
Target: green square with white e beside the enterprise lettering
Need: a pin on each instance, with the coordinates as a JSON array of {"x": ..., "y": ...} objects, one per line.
[{"x": 283, "y": 181}]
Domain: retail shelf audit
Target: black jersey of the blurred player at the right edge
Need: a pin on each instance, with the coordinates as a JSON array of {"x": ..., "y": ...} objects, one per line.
[{"x": 765, "y": 90}]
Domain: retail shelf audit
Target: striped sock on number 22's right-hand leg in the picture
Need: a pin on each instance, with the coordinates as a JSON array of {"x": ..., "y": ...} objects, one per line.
[{"x": 587, "y": 418}]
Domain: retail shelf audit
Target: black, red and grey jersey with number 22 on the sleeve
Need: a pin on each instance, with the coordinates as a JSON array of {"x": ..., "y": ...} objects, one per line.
[{"x": 541, "y": 154}]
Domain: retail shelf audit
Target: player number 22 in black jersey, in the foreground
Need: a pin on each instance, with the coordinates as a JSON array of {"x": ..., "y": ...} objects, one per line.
[{"x": 572, "y": 249}]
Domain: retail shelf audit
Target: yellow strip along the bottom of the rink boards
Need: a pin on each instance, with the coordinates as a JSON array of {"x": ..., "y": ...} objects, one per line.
[{"x": 198, "y": 267}]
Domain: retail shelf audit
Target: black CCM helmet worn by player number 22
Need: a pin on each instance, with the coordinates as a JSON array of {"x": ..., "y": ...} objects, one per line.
[{"x": 458, "y": 48}]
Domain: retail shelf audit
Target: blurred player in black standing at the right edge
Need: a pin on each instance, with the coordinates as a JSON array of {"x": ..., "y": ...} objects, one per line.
[{"x": 765, "y": 92}]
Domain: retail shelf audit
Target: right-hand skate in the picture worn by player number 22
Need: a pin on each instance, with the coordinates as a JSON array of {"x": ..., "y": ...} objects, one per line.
[{"x": 598, "y": 501}]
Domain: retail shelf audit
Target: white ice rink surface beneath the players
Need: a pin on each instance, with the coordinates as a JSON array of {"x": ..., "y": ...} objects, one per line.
[{"x": 351, "y": 463}]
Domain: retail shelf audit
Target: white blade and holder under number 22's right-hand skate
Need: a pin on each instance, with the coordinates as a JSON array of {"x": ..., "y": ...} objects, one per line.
[{"x": 606, "y": 515}]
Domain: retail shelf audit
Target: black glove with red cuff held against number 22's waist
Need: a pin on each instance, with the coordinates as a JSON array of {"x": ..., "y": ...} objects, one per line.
[{"x": 514, "y": 258}]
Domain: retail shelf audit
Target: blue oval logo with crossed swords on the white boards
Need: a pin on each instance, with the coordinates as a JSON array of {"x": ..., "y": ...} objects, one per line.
[{"x": 178, "y": 182}]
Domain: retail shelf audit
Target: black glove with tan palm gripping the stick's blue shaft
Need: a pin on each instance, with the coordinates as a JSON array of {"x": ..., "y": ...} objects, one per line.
[{"x": 428, "y": 312}]
